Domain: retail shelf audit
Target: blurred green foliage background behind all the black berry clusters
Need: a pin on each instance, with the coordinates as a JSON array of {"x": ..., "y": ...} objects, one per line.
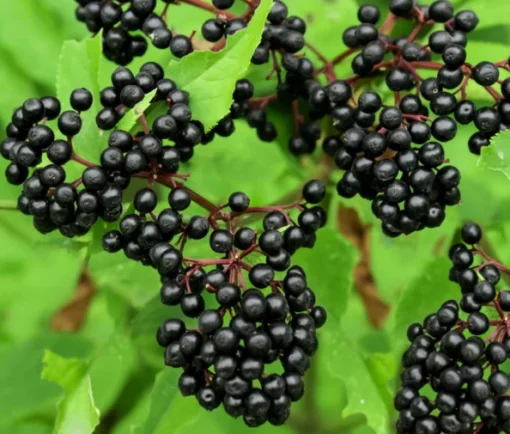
[{"x": 108, "y": 377}]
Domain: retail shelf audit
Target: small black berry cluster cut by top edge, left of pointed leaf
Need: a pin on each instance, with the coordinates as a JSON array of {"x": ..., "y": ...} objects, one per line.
[{"x": 123, "y": 20}]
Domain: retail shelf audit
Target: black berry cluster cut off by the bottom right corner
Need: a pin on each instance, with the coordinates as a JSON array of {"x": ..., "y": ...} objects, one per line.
[{"x": 453, "y": 380}]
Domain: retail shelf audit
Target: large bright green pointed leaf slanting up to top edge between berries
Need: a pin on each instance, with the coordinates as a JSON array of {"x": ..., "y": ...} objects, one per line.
[{"x": 210, "y": 77}]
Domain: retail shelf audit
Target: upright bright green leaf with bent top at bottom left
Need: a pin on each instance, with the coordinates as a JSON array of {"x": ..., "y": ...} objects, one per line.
[{"x": 77, "y": 412}]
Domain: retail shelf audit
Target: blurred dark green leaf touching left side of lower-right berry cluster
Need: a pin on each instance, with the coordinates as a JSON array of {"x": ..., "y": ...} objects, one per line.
[{"x": 424, "y": 295}]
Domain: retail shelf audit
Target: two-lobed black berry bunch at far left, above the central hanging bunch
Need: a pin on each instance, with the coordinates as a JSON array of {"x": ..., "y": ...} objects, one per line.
[{"x": 58, "y": 203}]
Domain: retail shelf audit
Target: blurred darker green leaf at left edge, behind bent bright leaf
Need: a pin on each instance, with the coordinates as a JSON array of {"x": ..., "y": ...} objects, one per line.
[{"x": 23, "y": 392}]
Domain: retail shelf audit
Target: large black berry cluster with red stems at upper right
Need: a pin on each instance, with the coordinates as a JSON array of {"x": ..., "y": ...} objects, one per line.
[{"x": 393, "y": 154}]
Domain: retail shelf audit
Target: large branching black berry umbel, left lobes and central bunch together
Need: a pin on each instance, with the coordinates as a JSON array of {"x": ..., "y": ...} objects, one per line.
[{"x": 274, "y": 319}]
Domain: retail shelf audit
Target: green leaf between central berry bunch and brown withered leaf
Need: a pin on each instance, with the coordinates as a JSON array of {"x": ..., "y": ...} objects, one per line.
[{"x": 329, "y": 269}]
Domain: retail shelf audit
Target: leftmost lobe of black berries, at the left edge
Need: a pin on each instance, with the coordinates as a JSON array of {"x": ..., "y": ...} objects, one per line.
[{"x": 46, "y": 196}]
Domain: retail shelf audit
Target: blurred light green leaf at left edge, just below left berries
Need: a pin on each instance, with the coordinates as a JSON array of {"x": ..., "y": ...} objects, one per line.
[{"x": 36, "y": 278}]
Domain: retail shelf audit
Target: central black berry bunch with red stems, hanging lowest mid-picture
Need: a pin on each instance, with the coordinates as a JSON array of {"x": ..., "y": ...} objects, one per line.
[{"x": 271, "y": 320}]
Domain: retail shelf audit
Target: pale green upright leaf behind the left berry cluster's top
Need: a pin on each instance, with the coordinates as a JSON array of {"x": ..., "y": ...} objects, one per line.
[{"x": 79, "y": 67}]
